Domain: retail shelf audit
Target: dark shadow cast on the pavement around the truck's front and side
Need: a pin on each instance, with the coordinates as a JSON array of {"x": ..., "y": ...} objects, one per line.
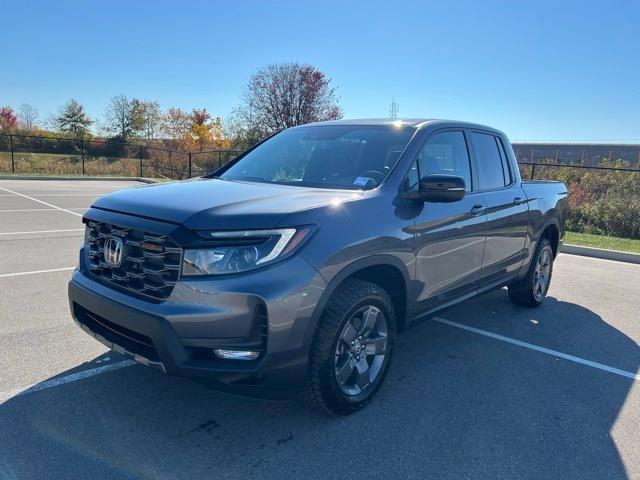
[{"x": 456, "y": 404}]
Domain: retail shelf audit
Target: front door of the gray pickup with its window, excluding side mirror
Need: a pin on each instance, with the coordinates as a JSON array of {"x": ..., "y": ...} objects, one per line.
[{"x": 450, "y": 236}]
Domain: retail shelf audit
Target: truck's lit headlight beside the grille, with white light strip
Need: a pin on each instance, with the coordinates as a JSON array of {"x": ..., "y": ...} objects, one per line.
[{"x": 237, "y": 252}]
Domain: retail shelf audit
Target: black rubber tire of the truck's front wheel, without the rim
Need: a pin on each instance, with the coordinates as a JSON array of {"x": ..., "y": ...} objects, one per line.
[{"x": 323, "y": 389}]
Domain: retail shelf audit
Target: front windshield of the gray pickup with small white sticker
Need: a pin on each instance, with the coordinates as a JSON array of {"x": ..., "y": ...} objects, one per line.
[{"x": 329, "y": 156}]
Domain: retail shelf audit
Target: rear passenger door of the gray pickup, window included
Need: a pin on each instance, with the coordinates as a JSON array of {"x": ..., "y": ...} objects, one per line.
[{"x": 506, "y": 208}]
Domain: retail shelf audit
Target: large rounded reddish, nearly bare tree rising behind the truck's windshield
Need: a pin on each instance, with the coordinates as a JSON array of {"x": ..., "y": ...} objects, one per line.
[{"x": 284, "y": 95}]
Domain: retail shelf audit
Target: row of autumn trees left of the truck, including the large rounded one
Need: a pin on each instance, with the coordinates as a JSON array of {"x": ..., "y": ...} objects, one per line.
[{"x": 276, "y": 97}]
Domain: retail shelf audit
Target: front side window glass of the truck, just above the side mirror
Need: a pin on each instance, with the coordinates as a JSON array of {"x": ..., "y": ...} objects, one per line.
[{"x": 446, "y": 153}]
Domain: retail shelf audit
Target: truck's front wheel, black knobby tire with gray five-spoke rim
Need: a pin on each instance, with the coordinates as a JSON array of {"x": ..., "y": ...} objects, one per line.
[{"x": 352, "y": 348}]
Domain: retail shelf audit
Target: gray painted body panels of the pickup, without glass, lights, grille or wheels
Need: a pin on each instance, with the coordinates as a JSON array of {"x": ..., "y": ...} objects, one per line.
[{"x": 442, "y": 252}]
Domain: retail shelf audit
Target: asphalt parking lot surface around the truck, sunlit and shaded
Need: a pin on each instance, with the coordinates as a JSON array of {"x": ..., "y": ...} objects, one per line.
[{"x": 485, "y": 390}]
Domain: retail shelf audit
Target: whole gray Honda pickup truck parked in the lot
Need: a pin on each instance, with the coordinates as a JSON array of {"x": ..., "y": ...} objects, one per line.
[{"x": 293, "y": 267}]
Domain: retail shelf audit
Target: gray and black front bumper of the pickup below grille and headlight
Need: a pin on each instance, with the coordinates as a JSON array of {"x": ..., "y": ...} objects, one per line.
[{"x": 268, "y": 311}]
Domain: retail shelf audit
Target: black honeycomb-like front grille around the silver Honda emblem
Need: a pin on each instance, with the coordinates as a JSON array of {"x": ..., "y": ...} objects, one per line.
[{"x": 150, "y": 263}]
